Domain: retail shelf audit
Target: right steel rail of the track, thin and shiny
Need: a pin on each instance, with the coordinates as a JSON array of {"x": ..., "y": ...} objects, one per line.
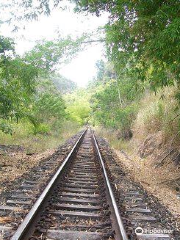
[{"x": 119, "y": 223}]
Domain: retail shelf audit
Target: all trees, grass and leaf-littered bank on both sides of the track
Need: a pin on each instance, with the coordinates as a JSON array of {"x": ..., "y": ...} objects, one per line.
[{"x": 134, "y": 100}]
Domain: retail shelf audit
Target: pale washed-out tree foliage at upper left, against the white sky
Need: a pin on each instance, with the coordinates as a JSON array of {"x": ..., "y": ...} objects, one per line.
[{"x": 46, "y": 55}]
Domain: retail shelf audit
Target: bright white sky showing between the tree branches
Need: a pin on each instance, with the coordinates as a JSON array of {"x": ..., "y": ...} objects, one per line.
[{"x": 82, "y": 68}]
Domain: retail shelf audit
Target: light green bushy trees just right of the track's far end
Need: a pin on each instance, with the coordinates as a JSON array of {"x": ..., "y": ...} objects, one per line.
[{"x": 114, "y": 101}]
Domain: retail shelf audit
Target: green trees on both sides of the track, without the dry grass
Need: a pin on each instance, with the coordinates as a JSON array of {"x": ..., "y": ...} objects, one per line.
[{"x": 142, "y": 46}]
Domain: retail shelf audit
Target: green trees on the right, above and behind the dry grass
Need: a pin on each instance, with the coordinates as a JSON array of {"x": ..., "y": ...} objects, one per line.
[{"x": 142, "y": 45}]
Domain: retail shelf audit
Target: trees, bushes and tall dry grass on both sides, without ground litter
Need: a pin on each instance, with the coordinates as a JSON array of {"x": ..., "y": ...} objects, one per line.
[{"x": 135, "y": 92}]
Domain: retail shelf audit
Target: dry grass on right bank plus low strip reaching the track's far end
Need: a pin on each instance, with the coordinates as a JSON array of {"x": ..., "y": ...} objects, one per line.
[{"x": 158, "y": 113}]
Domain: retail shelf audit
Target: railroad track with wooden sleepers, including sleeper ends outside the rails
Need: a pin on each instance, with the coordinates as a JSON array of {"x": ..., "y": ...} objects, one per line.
[{"x": 78, "y": 203}]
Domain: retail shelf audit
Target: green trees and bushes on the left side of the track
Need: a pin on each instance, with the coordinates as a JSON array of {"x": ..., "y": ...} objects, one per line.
[{"x": 30, "y": 88}]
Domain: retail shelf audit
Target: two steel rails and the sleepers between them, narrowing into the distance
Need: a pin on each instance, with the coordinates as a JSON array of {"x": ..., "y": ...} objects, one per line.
[{"x": 78, "y": 203}]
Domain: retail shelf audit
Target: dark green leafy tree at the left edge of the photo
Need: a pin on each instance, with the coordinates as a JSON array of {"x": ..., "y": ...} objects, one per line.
[{"x": 17, "y": 82}]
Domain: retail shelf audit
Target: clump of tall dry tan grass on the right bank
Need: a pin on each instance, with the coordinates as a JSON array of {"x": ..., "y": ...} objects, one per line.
[{"x": 157, "y": 113}]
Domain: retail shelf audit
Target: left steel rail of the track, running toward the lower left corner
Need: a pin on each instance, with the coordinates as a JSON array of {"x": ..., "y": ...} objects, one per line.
[{"x": 20, "y": 232}]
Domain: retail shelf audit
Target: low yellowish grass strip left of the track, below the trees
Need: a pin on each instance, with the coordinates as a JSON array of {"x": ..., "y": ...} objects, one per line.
[{"x": 23, "y": 135}]
